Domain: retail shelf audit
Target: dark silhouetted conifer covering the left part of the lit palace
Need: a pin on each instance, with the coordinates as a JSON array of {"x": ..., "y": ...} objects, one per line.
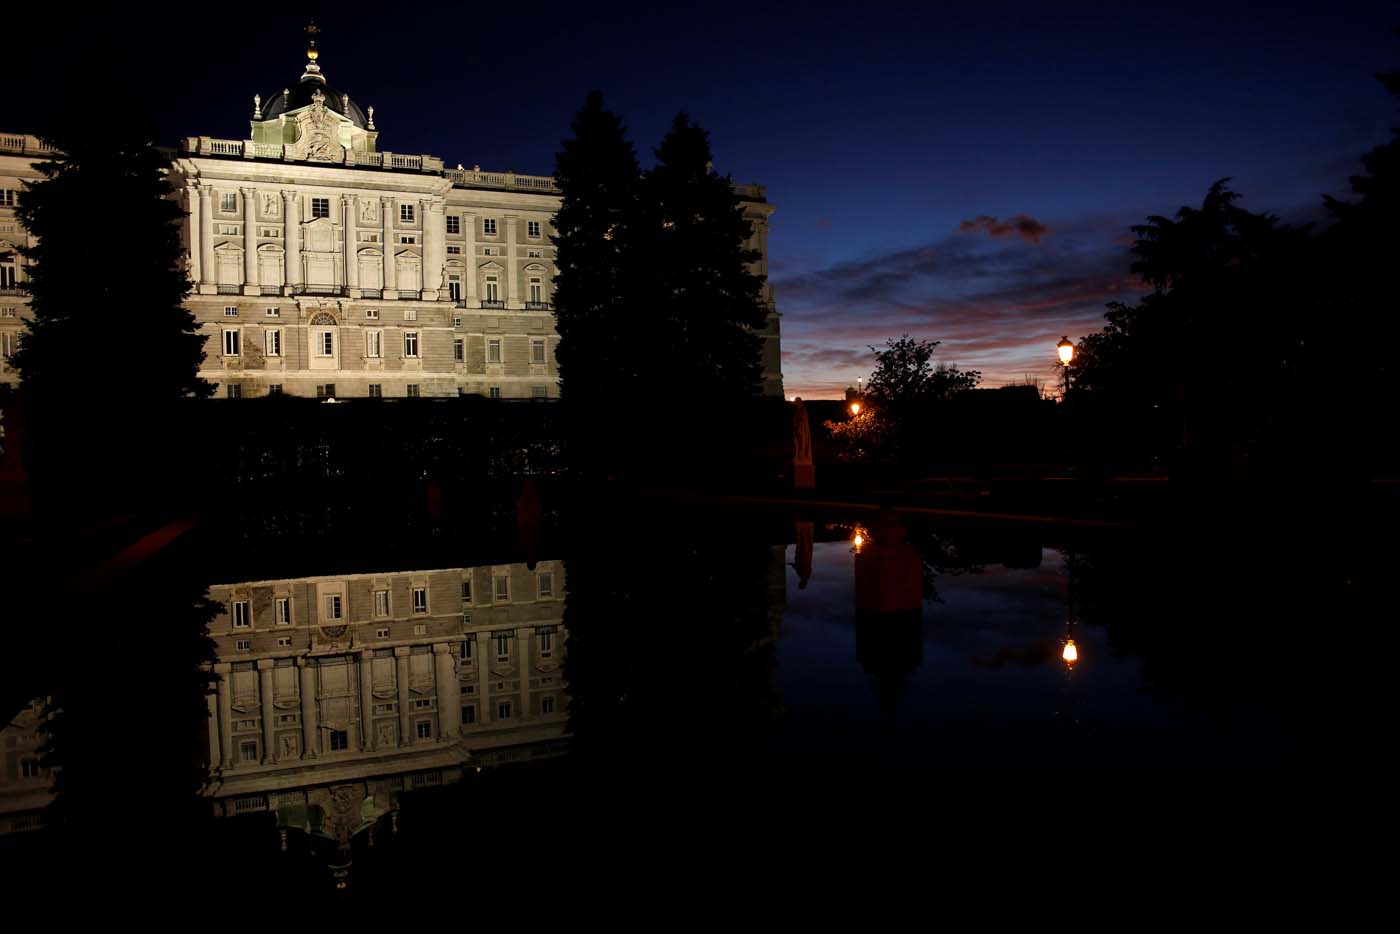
[{"x": 110, "y": 351}]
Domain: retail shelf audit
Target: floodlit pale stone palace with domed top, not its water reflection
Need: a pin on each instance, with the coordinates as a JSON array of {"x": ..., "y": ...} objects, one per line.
[{"x": 328, "y": 267}]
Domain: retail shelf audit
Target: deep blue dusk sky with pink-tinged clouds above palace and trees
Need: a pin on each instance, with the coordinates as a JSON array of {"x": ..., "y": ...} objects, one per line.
[{"x": 962, "y": 173}]
